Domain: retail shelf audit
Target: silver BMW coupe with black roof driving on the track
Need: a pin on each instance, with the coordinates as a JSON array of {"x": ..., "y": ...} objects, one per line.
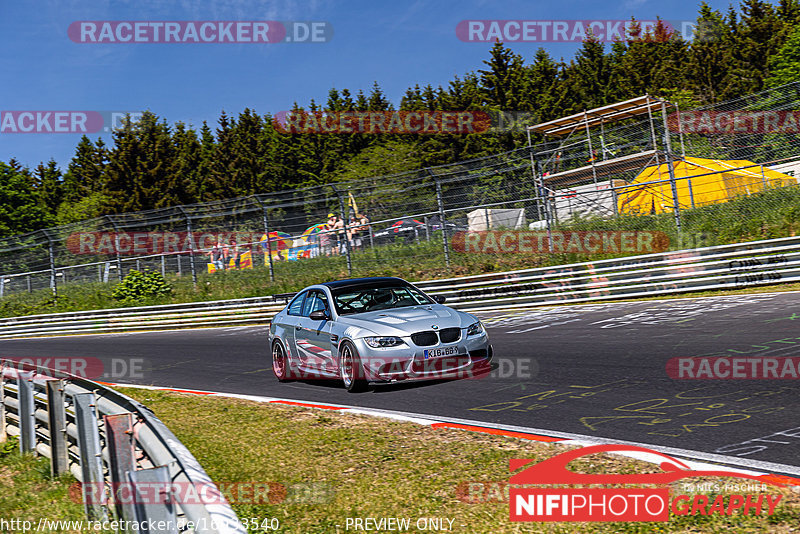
[{"x": 375, "y": 330}]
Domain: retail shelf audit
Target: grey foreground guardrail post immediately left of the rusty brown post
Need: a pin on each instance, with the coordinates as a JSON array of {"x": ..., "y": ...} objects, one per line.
[{"x": 94, "y": 496}]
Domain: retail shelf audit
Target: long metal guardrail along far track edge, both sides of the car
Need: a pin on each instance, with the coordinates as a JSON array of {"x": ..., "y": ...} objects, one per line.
[{"x": 720, "y": 267}]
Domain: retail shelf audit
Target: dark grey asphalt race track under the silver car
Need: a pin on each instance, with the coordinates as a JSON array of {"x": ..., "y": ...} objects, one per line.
[{"x": 596, "y": 370}]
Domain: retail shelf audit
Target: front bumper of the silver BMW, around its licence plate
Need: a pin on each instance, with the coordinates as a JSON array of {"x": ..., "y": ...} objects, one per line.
[{"x": 408, "y": 363}]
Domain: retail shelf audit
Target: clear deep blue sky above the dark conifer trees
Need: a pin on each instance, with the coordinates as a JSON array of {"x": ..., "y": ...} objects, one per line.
[{"x": 396, "y": 43}]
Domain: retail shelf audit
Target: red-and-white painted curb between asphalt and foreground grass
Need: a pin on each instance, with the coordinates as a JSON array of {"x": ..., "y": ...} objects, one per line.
[{"x": 694, "y": 459}]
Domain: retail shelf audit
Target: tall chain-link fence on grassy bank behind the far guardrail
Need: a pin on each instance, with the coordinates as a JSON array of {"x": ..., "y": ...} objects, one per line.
[{"x": 724, "y": 173}]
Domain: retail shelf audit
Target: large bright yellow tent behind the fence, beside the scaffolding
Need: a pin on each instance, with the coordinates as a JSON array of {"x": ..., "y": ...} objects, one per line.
[{"x": 725, "y": 184}]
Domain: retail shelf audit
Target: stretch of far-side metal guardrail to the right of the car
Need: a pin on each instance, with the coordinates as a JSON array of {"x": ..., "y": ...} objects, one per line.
[{"x": 719, "y": 267}]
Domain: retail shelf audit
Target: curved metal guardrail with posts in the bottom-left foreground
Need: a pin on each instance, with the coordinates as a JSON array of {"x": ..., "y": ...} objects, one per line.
[{"x": 110, "y": 443}]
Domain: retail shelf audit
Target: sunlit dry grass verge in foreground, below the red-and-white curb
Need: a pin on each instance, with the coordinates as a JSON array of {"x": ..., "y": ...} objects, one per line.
[{"x": 360, "y": 466}]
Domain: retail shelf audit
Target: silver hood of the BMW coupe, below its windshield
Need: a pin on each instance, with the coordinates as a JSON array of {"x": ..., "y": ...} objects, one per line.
[{"x": 404, "y": 321}]
